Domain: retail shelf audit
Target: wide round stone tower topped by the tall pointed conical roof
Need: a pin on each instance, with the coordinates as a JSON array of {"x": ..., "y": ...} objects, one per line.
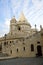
[{"x": 23, "y": 24}]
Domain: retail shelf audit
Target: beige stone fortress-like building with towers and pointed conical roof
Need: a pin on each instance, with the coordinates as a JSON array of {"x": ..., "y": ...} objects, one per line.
[{"x": 22, "y": 40}]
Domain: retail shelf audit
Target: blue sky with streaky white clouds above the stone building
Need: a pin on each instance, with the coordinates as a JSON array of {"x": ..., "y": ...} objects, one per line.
[{"x": 32, "y": 9}]
